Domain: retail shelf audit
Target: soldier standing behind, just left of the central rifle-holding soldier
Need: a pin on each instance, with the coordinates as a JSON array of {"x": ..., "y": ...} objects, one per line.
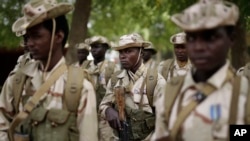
[{"x": 101, "y": 70}]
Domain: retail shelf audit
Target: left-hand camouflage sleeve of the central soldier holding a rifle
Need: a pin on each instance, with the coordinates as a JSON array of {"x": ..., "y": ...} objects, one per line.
[{"x": 107, "y": 100}]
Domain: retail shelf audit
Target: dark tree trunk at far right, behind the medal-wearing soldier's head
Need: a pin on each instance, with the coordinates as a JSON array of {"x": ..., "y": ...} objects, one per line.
[{"x": 239, "y": 54}]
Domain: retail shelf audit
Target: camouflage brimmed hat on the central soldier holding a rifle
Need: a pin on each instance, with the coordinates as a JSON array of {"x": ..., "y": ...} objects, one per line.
[{"x": 131, "y": 40}]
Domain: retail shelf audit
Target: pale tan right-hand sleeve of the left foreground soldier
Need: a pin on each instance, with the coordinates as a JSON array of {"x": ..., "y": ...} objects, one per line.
[{"x": 87, "y": 114}]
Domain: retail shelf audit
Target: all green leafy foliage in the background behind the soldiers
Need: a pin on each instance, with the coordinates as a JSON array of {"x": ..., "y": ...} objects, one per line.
[{"x": 114, "y": 18}]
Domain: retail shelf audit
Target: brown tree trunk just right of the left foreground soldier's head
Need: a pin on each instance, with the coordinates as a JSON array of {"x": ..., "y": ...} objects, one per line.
[{"x": 78, "y": 29}]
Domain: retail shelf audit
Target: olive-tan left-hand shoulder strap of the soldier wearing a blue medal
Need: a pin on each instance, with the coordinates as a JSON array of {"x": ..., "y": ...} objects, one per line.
[{"x": 172, "y": 90}]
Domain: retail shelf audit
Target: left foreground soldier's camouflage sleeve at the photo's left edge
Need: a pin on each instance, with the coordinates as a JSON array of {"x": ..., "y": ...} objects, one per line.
[{"x": 6, "y": 108}]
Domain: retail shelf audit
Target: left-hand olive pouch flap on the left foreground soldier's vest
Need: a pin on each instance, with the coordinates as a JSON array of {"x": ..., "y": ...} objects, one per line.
[{"x": 38, "y": 114}]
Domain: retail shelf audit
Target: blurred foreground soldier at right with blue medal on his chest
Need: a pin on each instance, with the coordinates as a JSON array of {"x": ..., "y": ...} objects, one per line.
[{"x": 201, "y": 105}]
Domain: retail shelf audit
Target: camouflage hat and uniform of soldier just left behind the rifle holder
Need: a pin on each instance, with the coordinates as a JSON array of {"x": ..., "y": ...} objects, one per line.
[{"x": 101, "y": 74}]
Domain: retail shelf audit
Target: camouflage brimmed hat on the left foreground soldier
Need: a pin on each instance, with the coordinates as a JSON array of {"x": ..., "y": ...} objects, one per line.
[{"x": 37, "y": 11}]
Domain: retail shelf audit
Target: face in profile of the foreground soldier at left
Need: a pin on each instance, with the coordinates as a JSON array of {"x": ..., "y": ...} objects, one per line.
[{"x": 38, "y": 42}]
